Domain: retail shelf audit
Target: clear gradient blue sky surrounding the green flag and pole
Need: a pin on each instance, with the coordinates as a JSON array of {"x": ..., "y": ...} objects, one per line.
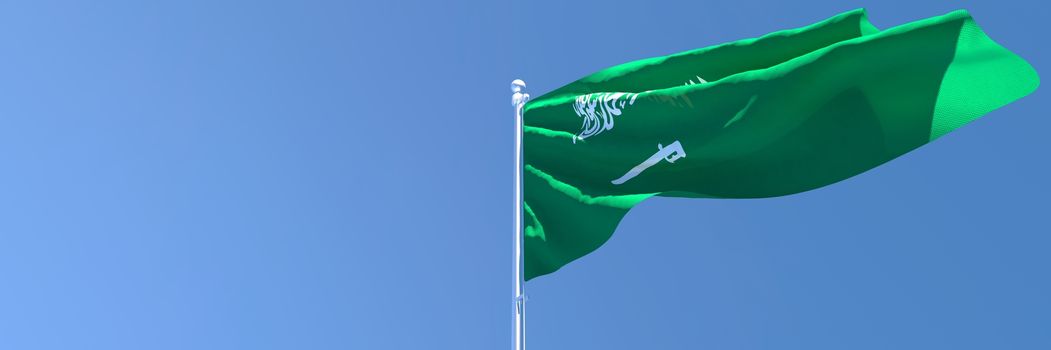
[{"x": 326, "y": 175}]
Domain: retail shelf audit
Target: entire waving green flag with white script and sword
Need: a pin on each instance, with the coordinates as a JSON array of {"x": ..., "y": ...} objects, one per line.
[{"x": 784, "y": 114}]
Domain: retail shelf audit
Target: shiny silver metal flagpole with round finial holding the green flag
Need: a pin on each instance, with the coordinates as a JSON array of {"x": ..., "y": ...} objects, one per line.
[{"x": 519, "y": 100}]
